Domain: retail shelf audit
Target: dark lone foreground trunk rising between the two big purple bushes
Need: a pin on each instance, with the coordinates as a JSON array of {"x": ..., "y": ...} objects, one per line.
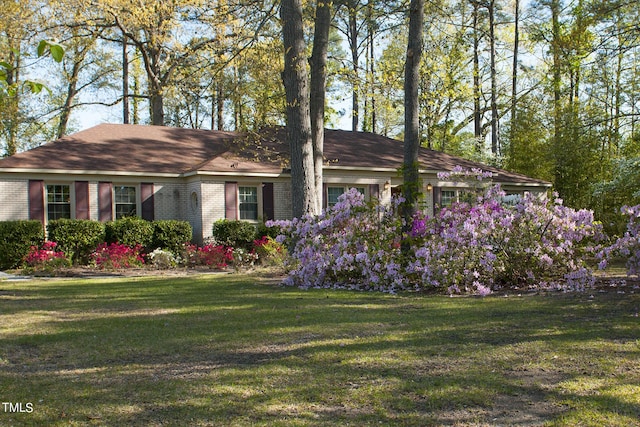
[{"x": 411, "y": 186}]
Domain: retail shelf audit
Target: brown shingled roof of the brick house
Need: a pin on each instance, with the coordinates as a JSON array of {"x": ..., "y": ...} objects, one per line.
[{"x": 117, "y": 148}]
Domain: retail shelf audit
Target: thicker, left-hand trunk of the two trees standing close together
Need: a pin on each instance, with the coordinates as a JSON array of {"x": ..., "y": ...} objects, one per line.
[{"x": 298, "y": 134}]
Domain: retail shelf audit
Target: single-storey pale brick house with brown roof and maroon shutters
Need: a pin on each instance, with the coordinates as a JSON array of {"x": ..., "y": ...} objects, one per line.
[{"x": 113, "y": 170}]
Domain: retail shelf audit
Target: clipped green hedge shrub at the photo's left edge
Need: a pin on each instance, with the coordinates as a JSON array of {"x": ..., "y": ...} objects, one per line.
[{"x": 16, "y": 238}]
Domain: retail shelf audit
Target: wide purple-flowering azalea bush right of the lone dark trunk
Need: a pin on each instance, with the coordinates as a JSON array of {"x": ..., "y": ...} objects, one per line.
[{"x": 489, "y": 245}]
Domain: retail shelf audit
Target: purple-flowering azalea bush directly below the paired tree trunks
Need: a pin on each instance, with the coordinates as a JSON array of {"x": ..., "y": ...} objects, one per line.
[{"x": 349, "y": 245}]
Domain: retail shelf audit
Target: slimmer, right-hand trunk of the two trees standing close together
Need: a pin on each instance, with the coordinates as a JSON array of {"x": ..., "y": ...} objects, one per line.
[{"x": 318, "y": 85}]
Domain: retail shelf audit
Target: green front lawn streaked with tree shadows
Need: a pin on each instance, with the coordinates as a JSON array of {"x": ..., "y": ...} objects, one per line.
[{"x": 236, "y": 350}]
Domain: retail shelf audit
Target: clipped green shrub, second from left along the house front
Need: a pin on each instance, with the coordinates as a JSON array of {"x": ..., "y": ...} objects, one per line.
[{"x": 77, "y": 238}]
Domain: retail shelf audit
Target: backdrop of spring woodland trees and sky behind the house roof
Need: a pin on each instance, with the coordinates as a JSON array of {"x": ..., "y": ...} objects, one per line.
[{"x": 547, "y": 88}]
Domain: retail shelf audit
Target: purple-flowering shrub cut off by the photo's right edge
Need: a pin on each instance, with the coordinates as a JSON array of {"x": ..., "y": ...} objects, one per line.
[{"x": 627, "y": 246}]
